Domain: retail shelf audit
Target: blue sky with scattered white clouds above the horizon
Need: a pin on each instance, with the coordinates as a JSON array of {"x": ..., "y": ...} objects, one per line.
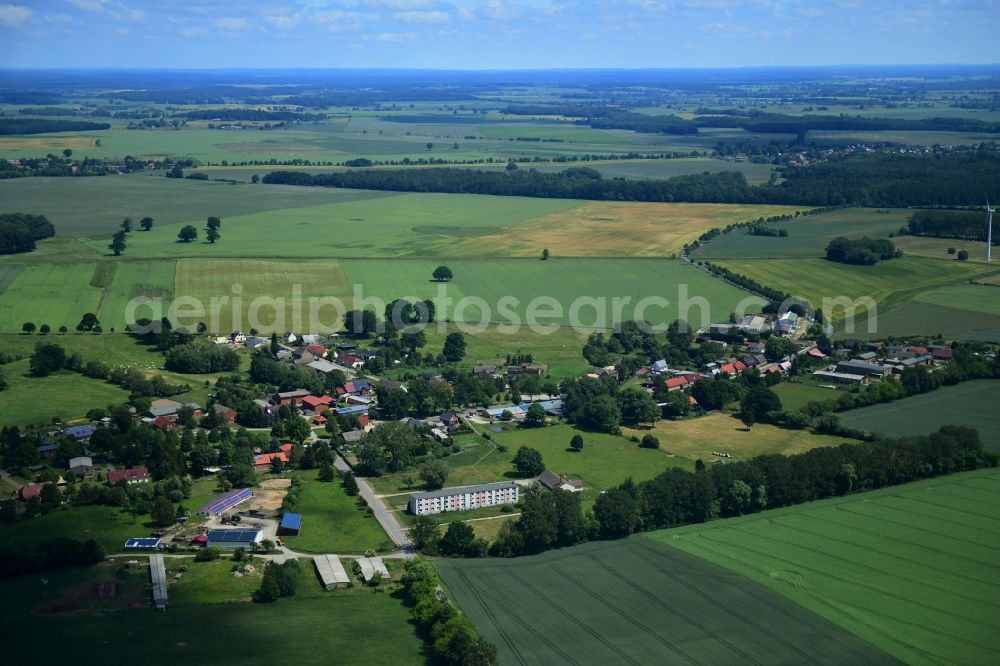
[{"x": 495, "y": 34}]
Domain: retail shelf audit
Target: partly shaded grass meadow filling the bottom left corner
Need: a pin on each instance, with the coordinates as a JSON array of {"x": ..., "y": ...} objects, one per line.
[{"x": 354, "y": 626}]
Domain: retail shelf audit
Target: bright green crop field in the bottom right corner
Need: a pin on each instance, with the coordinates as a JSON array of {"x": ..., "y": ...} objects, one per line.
[{"x": 910, "y": 569}]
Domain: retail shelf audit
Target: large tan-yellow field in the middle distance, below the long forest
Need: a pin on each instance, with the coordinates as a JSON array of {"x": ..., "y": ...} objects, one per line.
[{"x": 615, "y": 229}]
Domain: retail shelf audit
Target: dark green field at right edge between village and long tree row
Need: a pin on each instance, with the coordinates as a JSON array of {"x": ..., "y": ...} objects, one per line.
[{"x": 972, "y": 404}]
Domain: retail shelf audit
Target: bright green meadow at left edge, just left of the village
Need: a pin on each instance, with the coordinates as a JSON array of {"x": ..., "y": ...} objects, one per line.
[{"x": 67, "y": 395}]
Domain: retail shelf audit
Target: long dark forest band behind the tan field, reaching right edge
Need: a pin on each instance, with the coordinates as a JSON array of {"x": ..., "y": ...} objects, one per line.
[{"x": 888, "y": 180}]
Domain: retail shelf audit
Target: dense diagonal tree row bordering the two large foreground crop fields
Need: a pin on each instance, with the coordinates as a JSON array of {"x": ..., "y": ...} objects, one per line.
[{"x": 554, "y": 519}]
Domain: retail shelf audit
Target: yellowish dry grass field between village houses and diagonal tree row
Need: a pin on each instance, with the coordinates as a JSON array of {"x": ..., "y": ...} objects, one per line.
[{"x": 693, "y": 438}]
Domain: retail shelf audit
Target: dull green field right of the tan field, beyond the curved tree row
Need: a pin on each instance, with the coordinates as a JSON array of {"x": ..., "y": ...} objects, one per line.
[{"x": 807, "y": 237}]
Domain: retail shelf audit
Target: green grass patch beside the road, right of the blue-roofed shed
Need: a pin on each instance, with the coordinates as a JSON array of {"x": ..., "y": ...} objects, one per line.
[{"x": 332, "y": 521}]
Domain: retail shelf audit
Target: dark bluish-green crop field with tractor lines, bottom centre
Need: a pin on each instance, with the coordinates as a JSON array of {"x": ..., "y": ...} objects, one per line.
[{"x": 638, "y": 602}]
